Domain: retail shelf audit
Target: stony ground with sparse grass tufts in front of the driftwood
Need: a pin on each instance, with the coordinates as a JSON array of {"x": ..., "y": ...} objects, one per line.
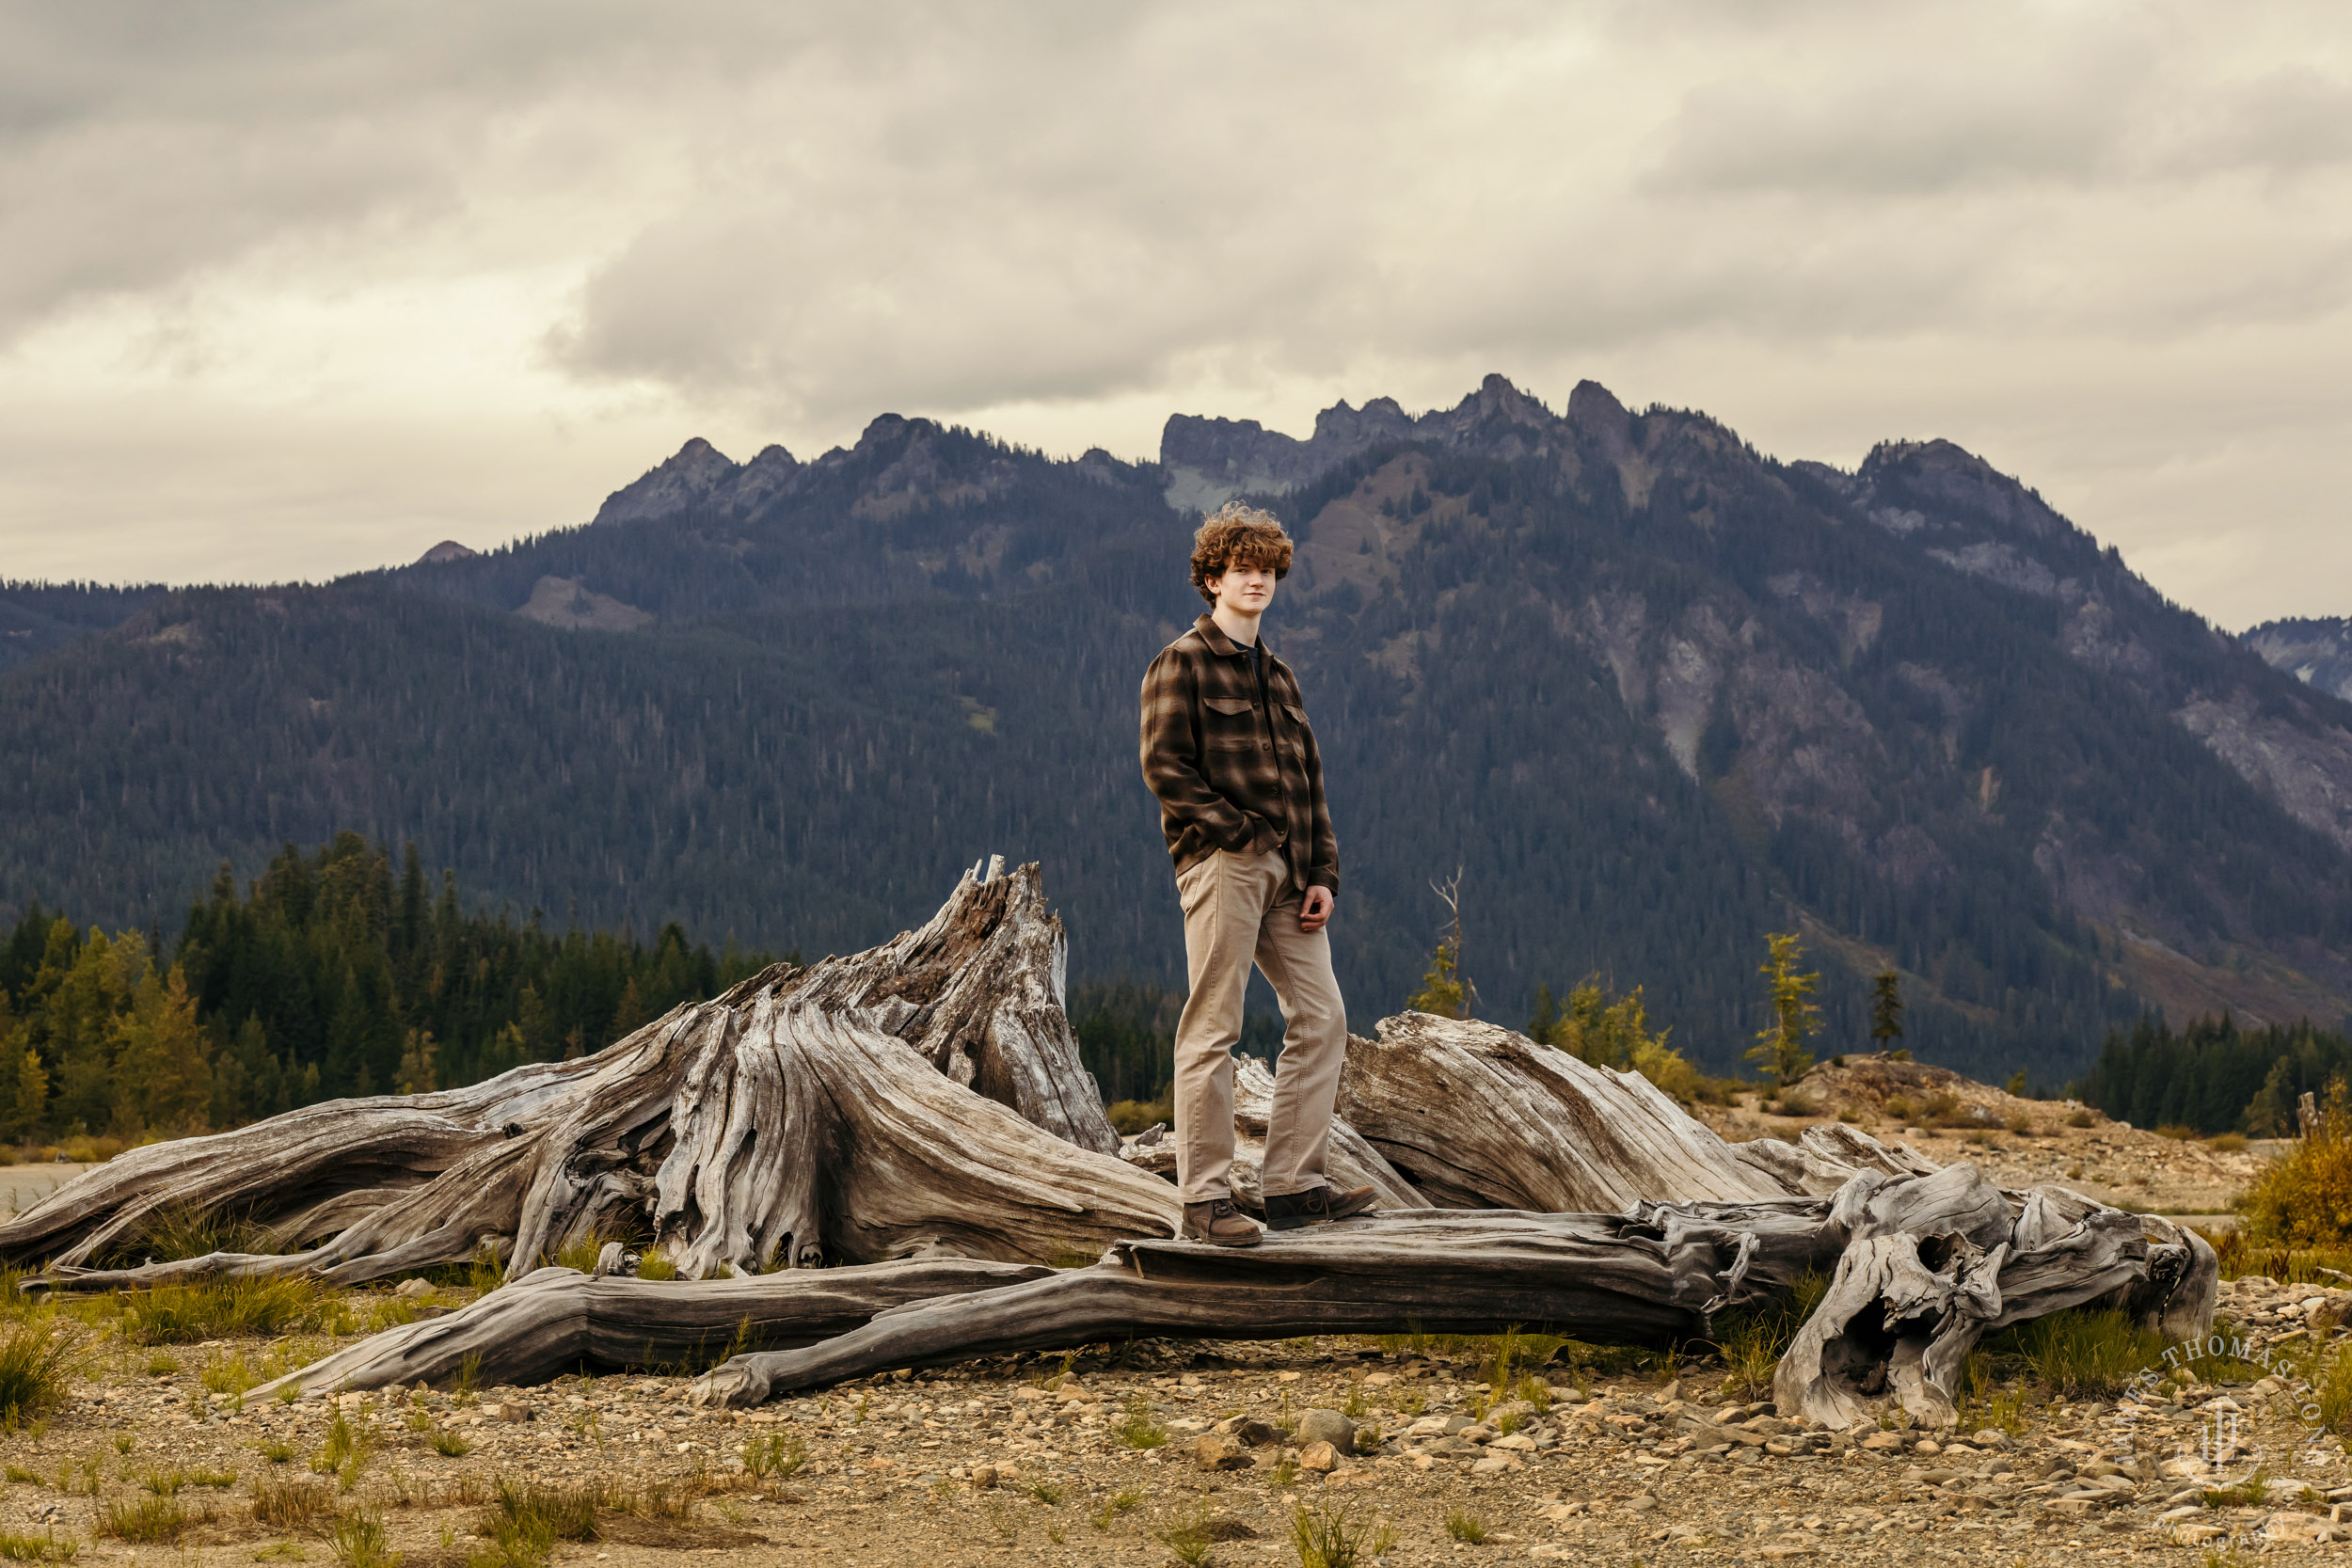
[{"x": 1168, "y": 1449}]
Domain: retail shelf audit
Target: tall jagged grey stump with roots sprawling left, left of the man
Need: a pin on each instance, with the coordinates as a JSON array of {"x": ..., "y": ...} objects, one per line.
[{"x": 735, "y": 1127}]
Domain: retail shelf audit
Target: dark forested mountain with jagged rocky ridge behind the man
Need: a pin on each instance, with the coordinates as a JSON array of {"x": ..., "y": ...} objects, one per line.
[{"x": 1652, "y": 692}]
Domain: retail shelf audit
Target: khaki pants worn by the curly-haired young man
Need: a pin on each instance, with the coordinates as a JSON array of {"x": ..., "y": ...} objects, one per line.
[{"x": 1243, "y": 911}]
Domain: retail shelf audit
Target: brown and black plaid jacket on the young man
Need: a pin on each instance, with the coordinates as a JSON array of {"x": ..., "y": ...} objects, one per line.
[{"x": 1231, "y": 772}]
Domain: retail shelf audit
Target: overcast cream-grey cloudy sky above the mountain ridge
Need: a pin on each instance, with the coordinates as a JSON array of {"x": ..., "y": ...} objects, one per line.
[{"x": 298, "y": 288}]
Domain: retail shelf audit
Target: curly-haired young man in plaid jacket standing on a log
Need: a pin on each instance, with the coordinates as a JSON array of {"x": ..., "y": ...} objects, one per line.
[{"x": 1229, "y": 753}]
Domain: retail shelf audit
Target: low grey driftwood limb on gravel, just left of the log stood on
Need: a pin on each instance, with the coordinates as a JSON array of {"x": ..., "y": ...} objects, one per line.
[{"x": 556, "y": 1320}]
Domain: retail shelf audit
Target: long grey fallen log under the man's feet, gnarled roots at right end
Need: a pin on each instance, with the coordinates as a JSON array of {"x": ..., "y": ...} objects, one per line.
[{"x": 1890, "y": 1332}]
